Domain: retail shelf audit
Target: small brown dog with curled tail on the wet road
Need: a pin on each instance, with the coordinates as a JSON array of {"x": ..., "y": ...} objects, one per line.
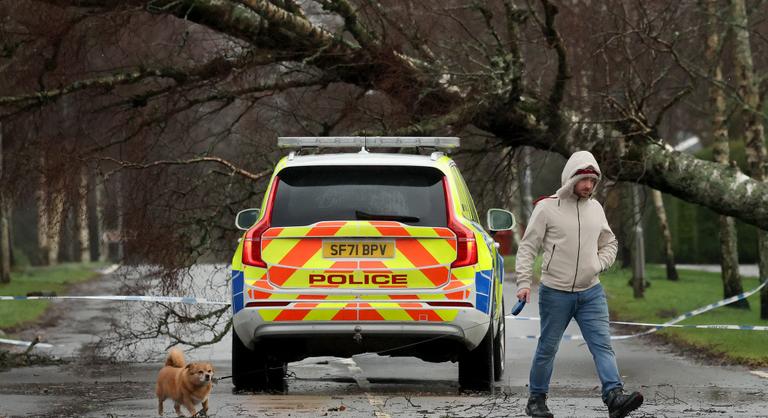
[{"x": 187, "y": 385}]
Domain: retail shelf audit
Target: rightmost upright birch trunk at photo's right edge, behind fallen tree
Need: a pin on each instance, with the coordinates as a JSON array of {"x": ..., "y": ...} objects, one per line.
[{"x": 754, "y": 135}]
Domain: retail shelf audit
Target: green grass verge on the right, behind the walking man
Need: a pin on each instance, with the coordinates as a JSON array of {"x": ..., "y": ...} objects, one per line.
[{"x": 666, "y": 299}]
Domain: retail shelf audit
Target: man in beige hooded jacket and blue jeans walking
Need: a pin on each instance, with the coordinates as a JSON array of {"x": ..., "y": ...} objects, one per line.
[{"x": 578, "y": 245}]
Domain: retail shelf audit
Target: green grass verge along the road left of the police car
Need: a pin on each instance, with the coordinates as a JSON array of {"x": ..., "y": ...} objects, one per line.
[{"x": 48, "y": 279}]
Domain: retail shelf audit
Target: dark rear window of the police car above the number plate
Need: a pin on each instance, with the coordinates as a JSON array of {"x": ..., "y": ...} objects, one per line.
[{"x": 411, "y": 195}]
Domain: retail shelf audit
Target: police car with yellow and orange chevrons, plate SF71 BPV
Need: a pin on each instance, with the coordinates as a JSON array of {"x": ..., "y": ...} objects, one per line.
[{"x": 367, "y": 253}]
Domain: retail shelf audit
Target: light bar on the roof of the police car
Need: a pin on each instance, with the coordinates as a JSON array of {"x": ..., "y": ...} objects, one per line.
[{"x": 446, "y": 142}]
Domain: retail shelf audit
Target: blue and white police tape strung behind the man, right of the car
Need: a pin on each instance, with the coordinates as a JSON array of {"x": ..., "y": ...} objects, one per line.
[{"x": 669, "y": 324}]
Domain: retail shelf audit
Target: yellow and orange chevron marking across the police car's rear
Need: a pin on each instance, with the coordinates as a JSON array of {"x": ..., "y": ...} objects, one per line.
[{"x": 423, "y": 254}]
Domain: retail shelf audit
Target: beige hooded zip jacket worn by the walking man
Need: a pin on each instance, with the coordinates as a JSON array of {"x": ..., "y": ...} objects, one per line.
[{"x": 578, "y": 243}]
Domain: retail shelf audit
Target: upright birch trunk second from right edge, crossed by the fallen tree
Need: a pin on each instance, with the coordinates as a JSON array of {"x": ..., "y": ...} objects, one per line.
[{"x": 729, "y": 255}]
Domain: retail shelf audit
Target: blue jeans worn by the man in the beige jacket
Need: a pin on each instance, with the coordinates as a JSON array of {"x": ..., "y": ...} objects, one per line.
[{"x": 590, "y": 309}]
